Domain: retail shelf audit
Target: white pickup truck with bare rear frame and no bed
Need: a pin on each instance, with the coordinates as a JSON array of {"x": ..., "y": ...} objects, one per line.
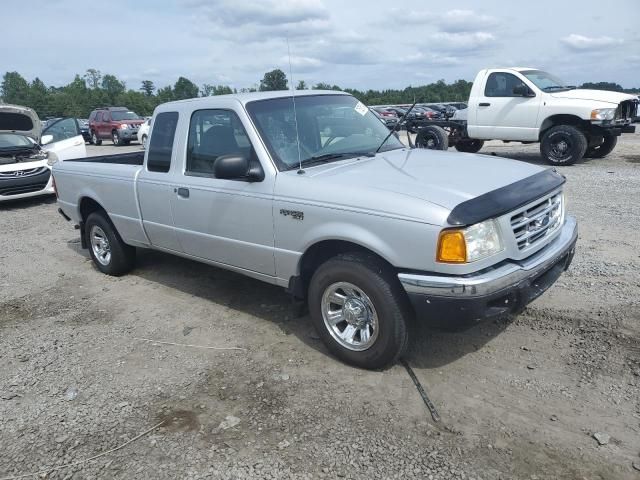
[{"x": 528, "y": 105}]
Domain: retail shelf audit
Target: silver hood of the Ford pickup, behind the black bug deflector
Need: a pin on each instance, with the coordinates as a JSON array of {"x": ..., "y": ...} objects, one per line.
[{"x": 391, "y": 182}]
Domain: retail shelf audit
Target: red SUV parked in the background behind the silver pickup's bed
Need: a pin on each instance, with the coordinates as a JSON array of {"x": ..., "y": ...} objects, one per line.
[{"x": 119, "y": 124}]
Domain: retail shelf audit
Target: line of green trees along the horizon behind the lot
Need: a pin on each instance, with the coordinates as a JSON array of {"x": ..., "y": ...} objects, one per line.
[{"x": 94, "y": 89}]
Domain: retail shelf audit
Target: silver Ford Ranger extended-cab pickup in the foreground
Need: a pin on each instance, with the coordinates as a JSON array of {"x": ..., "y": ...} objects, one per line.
[{"x": 305, "y": 192}]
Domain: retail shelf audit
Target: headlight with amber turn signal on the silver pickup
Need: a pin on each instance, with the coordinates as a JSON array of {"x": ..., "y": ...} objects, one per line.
[{"x": 469, "y": 244}]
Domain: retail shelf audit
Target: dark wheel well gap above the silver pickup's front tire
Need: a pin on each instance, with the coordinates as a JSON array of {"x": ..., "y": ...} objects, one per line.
[{"x": 319, "y": 253}]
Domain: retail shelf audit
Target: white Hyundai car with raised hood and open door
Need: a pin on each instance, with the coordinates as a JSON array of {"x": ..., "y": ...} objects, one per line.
[{"x": 27, "y": 151}]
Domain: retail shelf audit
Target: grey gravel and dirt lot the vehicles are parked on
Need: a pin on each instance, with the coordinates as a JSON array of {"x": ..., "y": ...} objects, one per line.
[{"x": 518, "y": 399}]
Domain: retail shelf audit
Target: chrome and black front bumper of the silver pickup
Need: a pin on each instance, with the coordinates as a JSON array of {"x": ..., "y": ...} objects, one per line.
[{"x": 455, "y": 301}]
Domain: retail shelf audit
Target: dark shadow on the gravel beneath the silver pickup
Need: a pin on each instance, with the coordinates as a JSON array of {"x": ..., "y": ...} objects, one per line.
[{"x": 430, "y": 348}]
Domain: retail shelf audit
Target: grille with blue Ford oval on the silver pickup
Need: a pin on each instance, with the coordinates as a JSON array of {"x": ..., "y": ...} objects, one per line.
[{"x": 536, "y": 222}]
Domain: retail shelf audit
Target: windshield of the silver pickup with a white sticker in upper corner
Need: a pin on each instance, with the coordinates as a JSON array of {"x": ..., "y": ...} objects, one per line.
[{"x": 330, "y": 127}]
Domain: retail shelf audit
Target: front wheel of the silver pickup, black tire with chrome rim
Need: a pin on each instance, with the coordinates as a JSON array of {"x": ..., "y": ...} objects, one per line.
[{"x": 382, "y": 290}]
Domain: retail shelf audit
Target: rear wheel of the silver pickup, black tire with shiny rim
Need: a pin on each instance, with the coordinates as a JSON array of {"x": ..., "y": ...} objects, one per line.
[{"x": 121, "y": 258}]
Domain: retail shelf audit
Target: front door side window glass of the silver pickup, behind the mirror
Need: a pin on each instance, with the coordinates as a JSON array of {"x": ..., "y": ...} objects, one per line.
[{"x": 213, "y": 133}]
